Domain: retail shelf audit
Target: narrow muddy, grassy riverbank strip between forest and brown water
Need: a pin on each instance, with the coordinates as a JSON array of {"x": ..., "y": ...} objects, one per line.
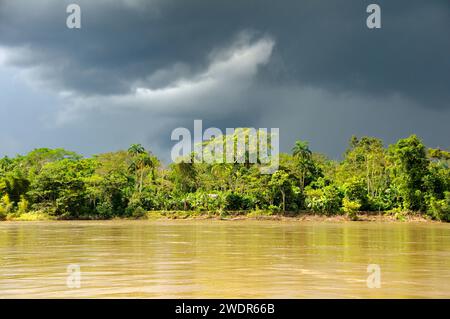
[{"x": 242, "y": 215}]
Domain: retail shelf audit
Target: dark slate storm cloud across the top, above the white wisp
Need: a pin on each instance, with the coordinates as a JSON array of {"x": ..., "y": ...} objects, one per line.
[{"x": 319, "y": 43}]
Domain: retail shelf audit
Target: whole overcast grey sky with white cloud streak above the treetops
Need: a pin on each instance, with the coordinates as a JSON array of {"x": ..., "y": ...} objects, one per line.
[{"x": 136, "y": 70}]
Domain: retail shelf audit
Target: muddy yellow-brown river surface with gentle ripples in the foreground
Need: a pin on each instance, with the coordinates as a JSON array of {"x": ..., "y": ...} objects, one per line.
[{"x": 228, "y": 259}]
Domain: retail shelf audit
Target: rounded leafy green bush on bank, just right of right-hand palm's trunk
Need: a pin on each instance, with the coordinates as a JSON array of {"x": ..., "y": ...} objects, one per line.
[{"x": 326, "y": 200}]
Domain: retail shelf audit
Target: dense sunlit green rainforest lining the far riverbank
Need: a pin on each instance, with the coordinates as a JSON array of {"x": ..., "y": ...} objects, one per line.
[{"x": 55, "y": 183}]
